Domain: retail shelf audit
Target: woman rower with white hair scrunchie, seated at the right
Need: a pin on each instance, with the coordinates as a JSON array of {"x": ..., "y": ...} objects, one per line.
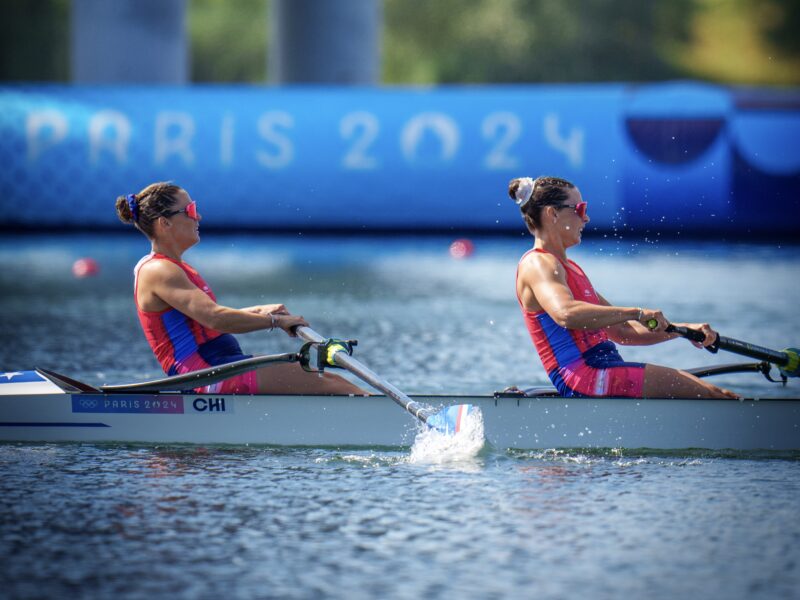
[{"x": 572, "y": 326}]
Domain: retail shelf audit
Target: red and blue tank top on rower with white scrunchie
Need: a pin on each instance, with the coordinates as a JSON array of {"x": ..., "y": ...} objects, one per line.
[{"x": 558, "y": 346}]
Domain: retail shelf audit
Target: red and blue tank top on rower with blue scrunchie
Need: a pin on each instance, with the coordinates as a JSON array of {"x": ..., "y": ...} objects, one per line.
[{"x": 174, "y": 336}]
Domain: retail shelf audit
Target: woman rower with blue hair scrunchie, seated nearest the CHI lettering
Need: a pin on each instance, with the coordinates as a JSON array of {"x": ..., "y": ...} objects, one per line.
[{"x": 182, "y": 321}]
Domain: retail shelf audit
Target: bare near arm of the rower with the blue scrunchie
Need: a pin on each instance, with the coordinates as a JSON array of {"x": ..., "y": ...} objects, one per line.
[{"x": 168, "y": 283}]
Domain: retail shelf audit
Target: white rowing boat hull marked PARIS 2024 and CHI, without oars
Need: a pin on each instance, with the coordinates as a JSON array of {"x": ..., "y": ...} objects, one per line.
[{"x": 39, "y": 408}]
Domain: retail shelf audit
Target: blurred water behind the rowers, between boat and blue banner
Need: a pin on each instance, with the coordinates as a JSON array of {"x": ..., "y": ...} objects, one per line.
[{"x": 426, "y": 322}]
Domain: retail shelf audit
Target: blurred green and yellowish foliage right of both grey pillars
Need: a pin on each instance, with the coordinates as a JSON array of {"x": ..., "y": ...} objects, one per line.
[{"x": 515, "y": 41}]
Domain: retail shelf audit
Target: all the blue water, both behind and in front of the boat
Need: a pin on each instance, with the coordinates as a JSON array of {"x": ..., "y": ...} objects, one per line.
[{"x": 186, "y": 522}]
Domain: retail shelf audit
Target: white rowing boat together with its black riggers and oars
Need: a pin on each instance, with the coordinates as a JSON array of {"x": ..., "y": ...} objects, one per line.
[{"x": 44, "y": 406}]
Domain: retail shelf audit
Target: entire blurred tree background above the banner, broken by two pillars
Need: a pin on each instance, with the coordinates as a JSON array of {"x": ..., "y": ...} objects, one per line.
[{"x": 474, "y": 41}]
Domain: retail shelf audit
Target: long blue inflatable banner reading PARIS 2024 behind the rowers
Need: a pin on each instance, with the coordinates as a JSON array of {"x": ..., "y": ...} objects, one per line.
[{"x": 652, "y": 158}]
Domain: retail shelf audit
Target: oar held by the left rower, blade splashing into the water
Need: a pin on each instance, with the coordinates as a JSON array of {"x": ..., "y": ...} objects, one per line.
[{"x": 448, "y": 420}]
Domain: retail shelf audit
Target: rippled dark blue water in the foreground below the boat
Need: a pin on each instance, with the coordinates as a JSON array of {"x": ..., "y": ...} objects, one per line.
[{"x": 261, "y": 522}]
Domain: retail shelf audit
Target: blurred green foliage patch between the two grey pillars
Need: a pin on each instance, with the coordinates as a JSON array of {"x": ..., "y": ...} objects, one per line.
[{"x": 228, "y": 40}]
